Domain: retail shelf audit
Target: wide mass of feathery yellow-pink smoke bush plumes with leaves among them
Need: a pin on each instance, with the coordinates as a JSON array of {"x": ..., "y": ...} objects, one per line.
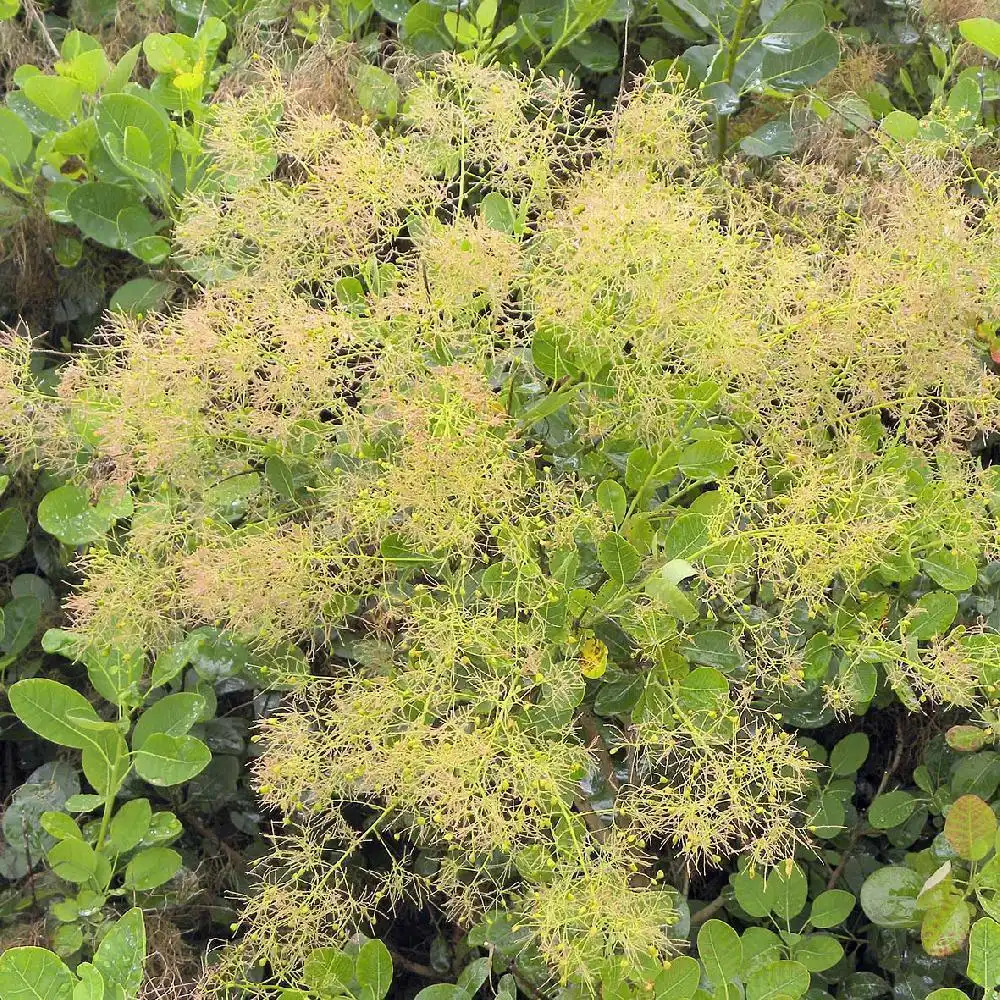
[{"x": 580, "y": 469}]
